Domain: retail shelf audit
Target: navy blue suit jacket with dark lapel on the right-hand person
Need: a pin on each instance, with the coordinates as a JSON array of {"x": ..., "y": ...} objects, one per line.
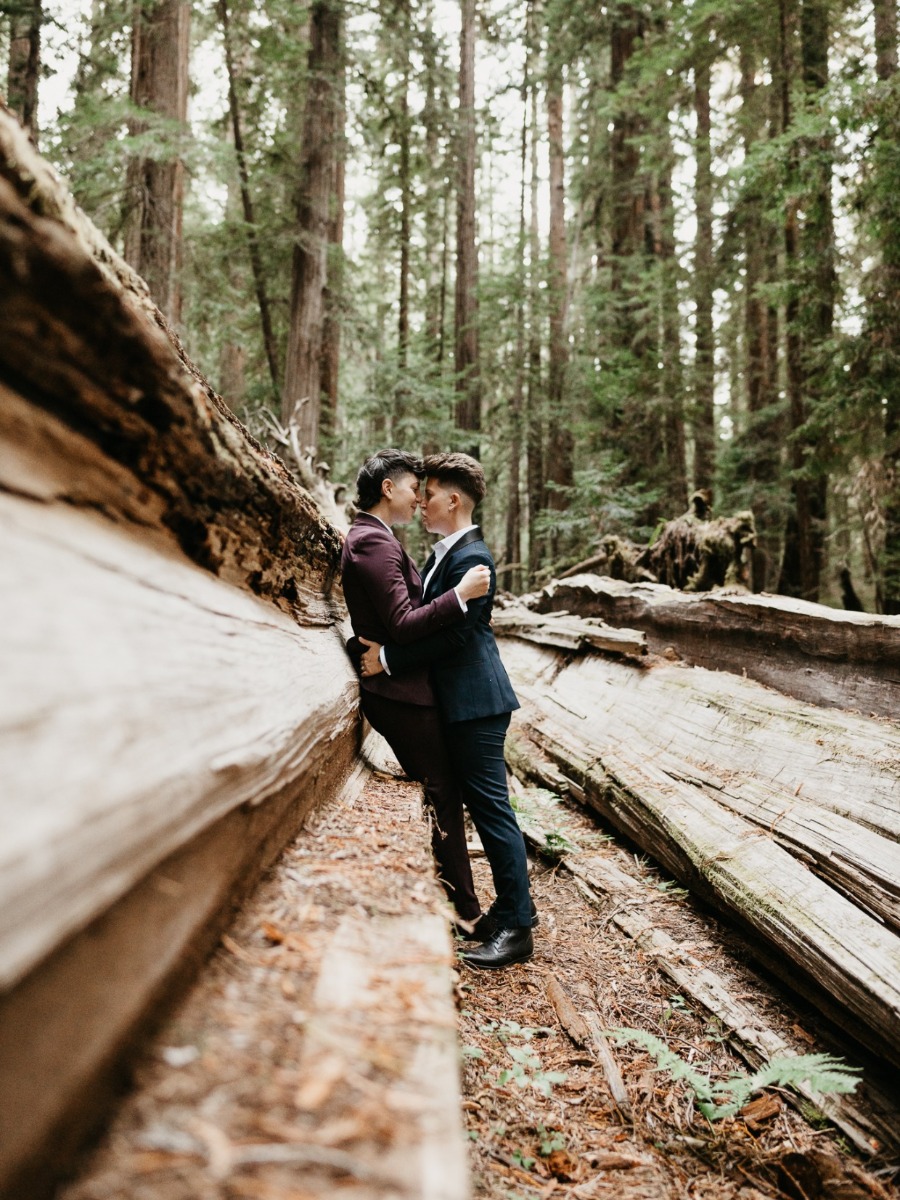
[{"x": 467, "y": 674}]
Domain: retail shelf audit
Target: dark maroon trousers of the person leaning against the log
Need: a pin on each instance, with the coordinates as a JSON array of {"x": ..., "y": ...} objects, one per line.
[{"x": 417, "y": 737}]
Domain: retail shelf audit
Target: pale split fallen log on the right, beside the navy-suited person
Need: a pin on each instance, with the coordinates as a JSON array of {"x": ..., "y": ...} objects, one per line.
[{"x": 645, "y": 748}]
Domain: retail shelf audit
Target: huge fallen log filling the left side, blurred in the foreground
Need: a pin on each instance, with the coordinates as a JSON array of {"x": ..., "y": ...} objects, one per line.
[{"x": 176, "y": 694}]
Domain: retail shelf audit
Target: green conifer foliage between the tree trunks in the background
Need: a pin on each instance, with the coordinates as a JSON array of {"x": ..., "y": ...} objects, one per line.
[{"x": 628, "y": 397}]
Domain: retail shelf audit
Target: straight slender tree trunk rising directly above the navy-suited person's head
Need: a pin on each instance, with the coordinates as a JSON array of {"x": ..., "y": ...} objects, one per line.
[{"x": 469, "y": 386}]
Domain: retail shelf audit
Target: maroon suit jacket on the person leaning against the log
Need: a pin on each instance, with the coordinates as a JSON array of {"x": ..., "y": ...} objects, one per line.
[{"x": 385, "y": 598}]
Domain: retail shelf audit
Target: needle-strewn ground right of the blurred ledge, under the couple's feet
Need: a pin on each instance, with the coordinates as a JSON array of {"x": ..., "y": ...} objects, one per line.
[{"x": 553, "y": 1129}]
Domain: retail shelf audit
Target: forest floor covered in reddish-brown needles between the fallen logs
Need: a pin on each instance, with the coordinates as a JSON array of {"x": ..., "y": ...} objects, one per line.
[{"x": 230, "y": 1105}]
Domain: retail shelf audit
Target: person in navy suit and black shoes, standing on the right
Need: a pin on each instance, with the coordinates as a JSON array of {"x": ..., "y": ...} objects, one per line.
[{"x": 476, "y": 699}]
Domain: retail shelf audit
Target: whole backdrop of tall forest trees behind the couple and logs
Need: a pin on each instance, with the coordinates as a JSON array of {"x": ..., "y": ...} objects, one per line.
[{"x": 623, "y": 253}]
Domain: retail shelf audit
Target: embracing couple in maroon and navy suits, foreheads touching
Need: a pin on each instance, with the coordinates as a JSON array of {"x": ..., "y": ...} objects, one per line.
[{"x": 433, "y": 683}]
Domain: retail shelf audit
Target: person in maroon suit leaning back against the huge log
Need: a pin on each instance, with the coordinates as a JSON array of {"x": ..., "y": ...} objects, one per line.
[{"x": 385, "y": 598}]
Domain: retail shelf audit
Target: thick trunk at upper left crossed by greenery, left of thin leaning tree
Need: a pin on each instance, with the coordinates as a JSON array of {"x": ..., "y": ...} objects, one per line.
[{"x": 159, "y": 85}]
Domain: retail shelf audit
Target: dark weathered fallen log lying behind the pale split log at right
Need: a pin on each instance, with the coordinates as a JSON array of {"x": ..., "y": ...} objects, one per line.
[{"x": 808, "y": 651}]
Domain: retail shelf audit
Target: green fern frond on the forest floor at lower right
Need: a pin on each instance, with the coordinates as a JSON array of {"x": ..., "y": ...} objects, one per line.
[{"x": 824, "y": 1073}]
